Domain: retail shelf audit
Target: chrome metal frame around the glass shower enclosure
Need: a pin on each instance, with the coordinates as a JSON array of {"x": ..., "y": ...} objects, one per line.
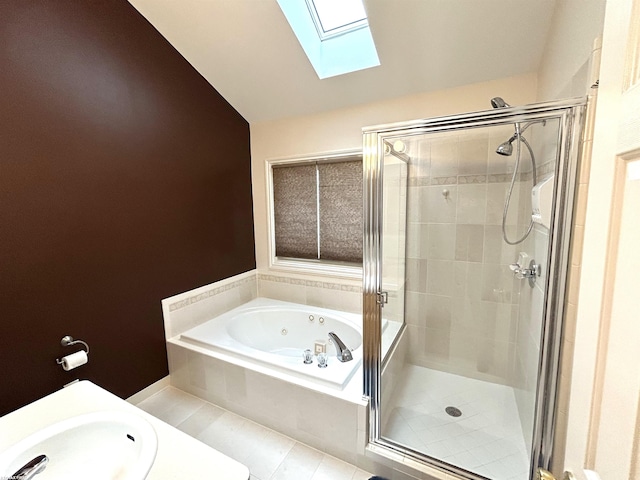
[{"x": 570, "y": 114}]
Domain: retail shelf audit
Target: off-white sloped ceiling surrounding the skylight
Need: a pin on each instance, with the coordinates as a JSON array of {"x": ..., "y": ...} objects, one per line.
[{"x": 247, "y": 51}]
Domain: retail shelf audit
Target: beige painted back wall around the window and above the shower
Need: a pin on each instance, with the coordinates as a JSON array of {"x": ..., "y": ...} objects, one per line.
[{"x": 342, "y": 129}]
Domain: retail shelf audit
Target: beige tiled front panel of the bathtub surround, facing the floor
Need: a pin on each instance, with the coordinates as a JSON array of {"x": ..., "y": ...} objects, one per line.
[{"x": 321, "y": 419}]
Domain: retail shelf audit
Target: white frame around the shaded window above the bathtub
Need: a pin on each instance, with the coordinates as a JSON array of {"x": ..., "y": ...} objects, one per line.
[{"x": 299, "y": 265}]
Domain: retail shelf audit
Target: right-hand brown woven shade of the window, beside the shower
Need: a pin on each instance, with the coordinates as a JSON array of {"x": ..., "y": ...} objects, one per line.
[{"x": 341, "y": 211}]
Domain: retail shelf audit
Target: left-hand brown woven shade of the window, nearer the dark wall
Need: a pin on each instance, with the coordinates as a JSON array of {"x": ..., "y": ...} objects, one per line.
[{"x": 295, "y": 211}]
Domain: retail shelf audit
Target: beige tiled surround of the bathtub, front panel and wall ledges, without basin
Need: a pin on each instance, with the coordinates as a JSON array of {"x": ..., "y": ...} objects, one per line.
[{"x": 327, "y": 419}]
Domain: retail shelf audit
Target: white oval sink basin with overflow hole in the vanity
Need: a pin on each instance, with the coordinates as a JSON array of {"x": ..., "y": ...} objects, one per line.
[{"x": 102, "y": 445}]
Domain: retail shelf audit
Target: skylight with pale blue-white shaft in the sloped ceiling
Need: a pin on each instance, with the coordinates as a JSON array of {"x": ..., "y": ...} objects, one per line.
[{"x": 334, "y": 34}]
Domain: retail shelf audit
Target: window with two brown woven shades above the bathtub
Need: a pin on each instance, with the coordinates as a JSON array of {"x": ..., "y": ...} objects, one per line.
[{"x": 317, "y": 214}]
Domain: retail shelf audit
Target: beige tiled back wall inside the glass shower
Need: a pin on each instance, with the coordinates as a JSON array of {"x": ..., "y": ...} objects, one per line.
[{"x": 462, "y": 299}]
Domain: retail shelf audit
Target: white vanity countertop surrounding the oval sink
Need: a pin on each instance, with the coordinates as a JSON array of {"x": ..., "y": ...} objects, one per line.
[{"x": 179, "y": 456}]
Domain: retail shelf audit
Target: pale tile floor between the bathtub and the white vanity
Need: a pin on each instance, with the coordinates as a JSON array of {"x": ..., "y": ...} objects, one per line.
[{"x": 268, "y": 454}]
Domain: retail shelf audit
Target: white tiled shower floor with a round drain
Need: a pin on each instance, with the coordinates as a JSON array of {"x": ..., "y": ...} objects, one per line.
[{"x": 486, "y": 439}]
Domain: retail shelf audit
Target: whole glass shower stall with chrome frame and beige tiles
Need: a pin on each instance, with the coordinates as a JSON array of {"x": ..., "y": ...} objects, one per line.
[{"x": 467, "y": 226}]
